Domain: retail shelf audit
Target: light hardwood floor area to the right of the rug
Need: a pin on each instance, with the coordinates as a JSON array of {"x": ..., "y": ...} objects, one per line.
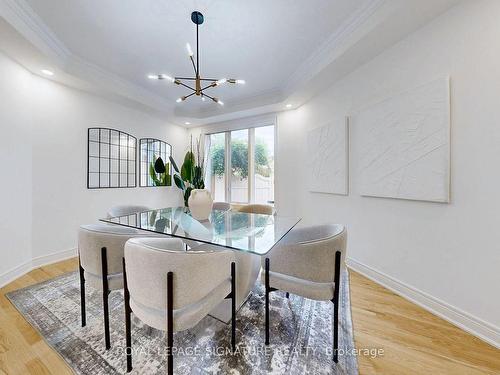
[{"x": 414, "y": 340}]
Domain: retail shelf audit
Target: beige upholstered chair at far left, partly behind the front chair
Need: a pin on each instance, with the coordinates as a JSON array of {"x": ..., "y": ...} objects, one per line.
[{"x": 100, "y": 251}]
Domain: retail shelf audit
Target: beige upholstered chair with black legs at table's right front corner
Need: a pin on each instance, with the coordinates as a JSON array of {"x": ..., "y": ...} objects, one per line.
[{"x": 308, "y": 262}]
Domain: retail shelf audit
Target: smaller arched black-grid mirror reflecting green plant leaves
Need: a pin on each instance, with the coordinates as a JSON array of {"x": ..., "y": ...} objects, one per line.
[{"x": 151, "y": 149}]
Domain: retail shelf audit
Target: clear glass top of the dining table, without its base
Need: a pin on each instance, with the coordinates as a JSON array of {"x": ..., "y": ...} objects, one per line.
[{"x": 254, "y": 233}]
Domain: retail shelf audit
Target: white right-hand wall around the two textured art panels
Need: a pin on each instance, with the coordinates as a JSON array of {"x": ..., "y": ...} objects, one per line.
[{"x": 447, "y": 255}]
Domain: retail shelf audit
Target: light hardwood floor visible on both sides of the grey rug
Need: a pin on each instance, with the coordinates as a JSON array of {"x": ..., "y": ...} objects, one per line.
[{"x": 413, "y": 340}]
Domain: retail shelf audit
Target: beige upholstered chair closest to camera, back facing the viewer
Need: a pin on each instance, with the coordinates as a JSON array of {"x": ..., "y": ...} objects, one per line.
[{"x": 172, "y": 290}]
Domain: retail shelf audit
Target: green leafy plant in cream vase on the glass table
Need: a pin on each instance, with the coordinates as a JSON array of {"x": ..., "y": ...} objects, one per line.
[{"x": 190, "y": 179}]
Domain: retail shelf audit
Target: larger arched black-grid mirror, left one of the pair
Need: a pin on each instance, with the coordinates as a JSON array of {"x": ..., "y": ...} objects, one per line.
[{"x": 111, "y": 159}]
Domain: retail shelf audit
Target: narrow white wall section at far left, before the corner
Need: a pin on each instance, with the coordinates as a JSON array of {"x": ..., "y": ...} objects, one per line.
[{"x": 16, "y": 167}]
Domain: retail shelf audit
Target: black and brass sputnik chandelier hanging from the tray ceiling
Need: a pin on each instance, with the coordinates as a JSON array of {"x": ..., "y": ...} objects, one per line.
[{"x": 200, "y": 84}]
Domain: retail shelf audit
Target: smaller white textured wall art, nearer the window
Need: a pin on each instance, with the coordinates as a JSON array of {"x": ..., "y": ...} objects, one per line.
[{"x": 328, "y": 158}]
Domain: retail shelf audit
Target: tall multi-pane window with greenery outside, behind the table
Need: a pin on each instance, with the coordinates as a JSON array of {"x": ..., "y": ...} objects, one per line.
[{"x": 246, "y": 173}]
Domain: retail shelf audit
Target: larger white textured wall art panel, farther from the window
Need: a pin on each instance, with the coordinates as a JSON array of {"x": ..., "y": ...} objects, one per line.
[{"x": 403, "y": 145}]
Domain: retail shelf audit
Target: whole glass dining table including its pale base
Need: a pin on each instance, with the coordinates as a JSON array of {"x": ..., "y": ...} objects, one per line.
[{"x": 251, "y": 236}]
